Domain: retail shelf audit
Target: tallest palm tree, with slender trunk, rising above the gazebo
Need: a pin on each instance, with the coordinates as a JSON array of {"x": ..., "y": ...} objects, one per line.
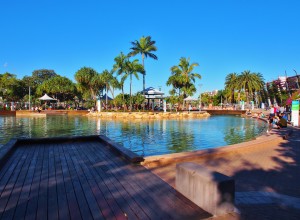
[{"x": 145, "y": 47}]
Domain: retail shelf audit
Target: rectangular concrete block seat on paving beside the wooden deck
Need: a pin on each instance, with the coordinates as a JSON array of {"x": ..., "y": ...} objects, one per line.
[{"x": 212, "y": 191}]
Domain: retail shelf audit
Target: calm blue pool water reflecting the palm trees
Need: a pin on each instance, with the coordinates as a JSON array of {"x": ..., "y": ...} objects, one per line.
[{"x": 151, "y": 137}]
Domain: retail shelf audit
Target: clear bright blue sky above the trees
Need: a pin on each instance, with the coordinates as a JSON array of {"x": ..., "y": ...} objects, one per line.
[{"x": 222, "y": 36}]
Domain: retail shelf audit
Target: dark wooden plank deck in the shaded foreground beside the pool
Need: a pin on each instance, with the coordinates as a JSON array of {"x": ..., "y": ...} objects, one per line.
[{"x": 85, "y": 180}]
